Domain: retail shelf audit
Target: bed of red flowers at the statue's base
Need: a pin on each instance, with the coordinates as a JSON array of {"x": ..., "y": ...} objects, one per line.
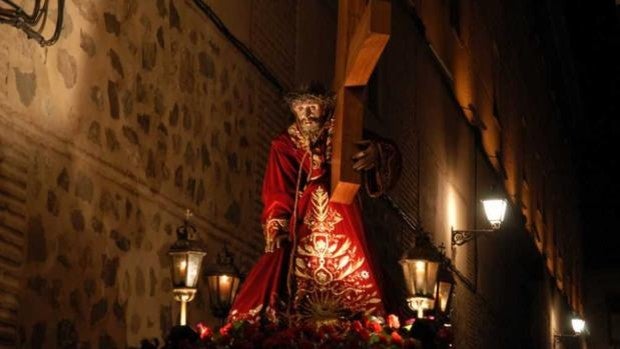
[{"x": 372, "y": 332}]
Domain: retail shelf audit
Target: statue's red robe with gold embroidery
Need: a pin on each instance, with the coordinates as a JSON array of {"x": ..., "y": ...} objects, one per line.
[{"x": 333, "y": 276}]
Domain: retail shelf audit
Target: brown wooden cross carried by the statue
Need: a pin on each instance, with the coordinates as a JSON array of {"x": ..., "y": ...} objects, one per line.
[{"x": 363, "y": 32}]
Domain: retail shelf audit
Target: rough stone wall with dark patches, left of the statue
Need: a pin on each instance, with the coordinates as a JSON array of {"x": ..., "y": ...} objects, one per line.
[{"x": 139, "y": 111}]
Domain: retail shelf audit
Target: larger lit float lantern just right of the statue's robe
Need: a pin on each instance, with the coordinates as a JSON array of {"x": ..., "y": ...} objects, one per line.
[{"x": 420, "y": 265}]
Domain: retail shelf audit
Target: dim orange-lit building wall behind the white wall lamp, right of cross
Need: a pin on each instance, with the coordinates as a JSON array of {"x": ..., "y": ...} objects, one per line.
[{"x": 482, "y": 105}]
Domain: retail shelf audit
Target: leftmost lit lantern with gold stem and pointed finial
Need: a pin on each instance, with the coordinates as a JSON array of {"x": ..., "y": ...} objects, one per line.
[{"x": 187, "y": 255}]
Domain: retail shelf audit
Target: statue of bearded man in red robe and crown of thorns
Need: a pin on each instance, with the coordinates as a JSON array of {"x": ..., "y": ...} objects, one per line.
[{"x": 316, "y": 267}]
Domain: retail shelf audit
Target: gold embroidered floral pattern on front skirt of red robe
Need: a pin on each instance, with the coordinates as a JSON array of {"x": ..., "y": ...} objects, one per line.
[{"x": 332, "y": 280}]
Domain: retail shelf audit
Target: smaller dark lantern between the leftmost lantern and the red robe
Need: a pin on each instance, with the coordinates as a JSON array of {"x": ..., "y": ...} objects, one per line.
[{"x": 223, "y": 279}]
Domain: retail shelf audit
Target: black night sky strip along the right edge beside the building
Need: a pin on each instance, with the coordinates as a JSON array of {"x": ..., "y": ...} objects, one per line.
[{"x": 595, "y": 42}]
